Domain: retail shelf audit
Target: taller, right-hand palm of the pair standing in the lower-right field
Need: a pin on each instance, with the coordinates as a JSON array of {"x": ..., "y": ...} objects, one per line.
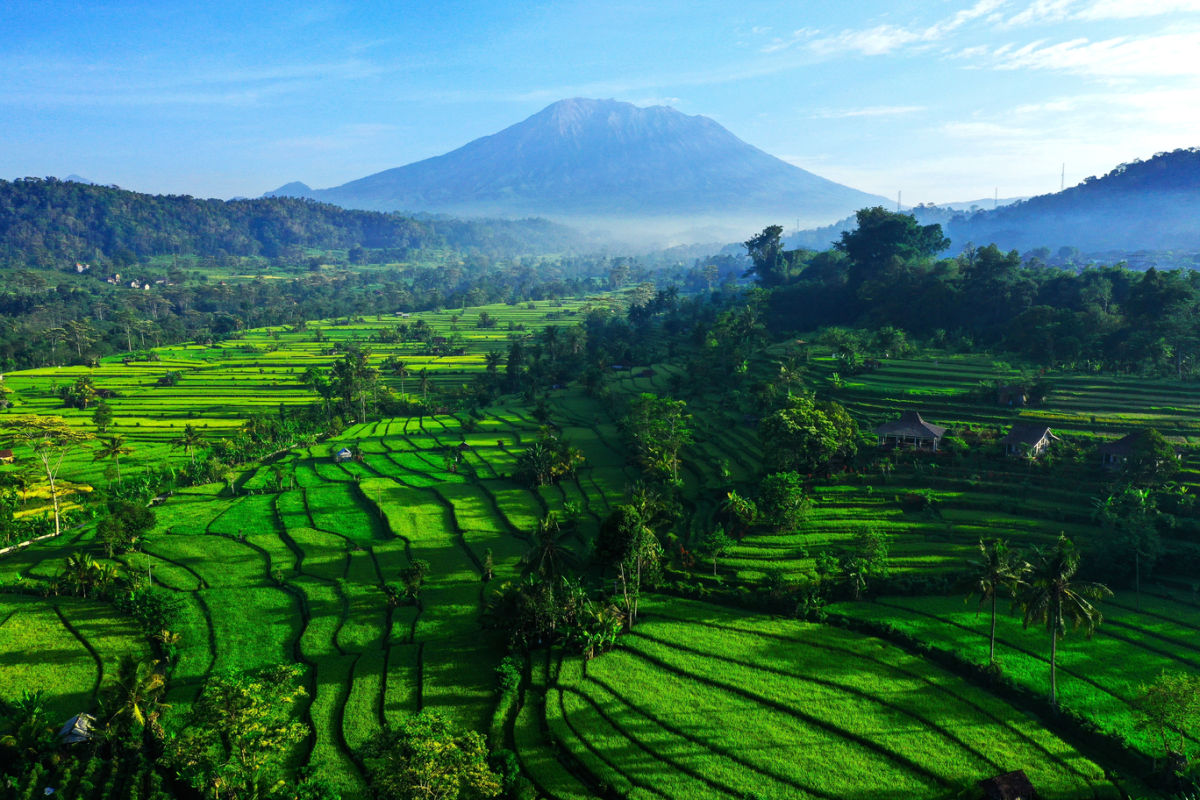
[{"x": 1053, "y": 599}]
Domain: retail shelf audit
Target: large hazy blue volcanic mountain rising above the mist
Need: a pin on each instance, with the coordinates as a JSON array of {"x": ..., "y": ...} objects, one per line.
[{"x": 611, "y": 165}]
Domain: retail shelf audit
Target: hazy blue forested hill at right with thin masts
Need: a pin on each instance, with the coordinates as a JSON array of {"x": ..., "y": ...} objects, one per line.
[{"x": 1143, "y": 206}]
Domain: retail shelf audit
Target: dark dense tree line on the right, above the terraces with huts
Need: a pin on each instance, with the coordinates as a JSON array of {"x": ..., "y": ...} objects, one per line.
[{"x": 887, "y": 273}]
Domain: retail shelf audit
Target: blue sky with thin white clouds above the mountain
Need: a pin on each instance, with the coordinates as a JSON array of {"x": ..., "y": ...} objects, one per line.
[{"x": 944, "y": 101}]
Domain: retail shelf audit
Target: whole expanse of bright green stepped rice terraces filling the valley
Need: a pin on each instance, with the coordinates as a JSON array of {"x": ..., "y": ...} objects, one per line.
[{"x": 377, "y": 560}]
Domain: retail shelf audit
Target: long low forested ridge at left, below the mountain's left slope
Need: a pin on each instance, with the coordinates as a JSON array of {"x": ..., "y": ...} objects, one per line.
[{"x": 44, "y": 222}]
